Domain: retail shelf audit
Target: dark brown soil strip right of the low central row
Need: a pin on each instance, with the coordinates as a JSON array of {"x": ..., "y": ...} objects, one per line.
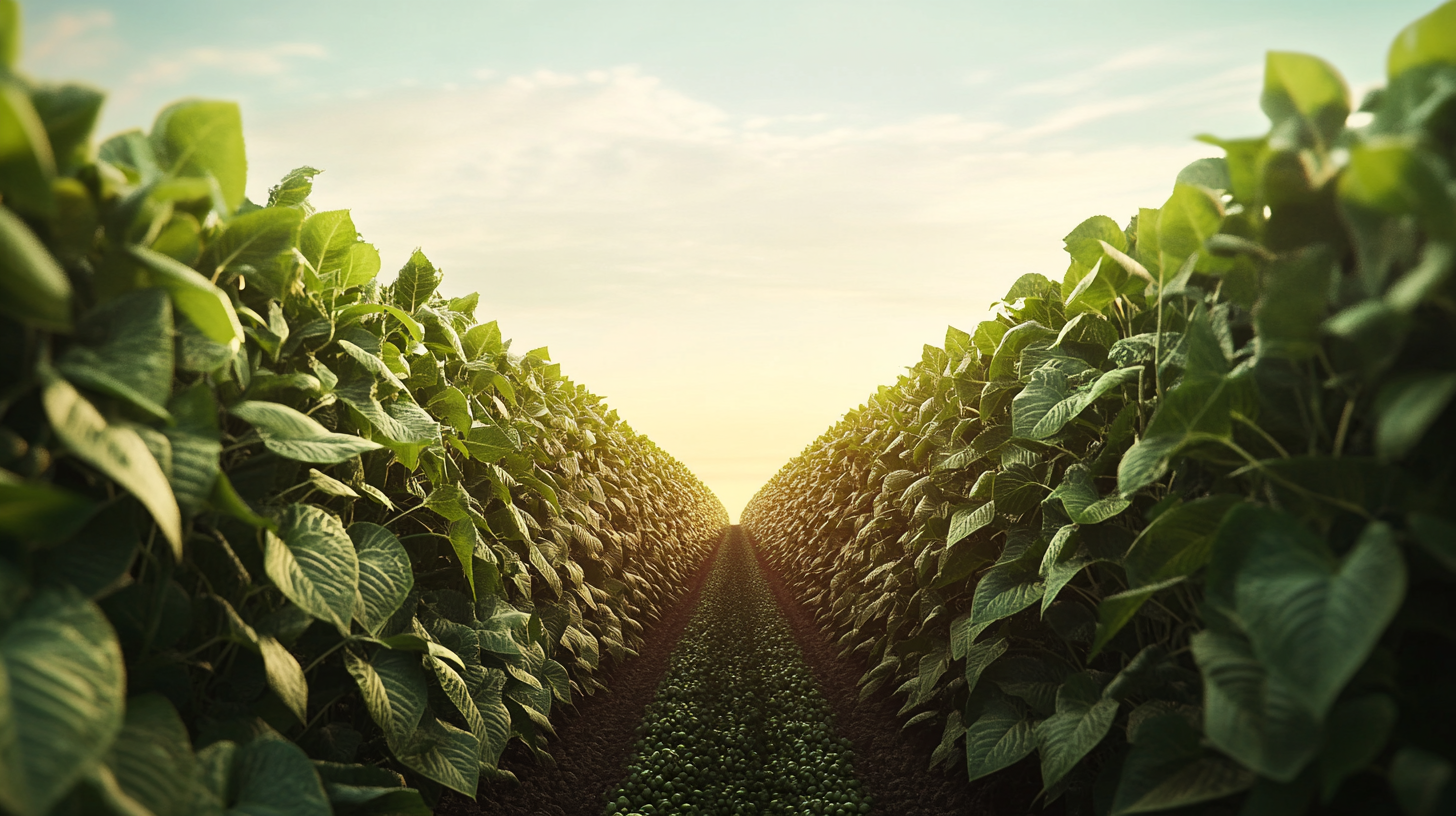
[{"x": 895, "y": 764}]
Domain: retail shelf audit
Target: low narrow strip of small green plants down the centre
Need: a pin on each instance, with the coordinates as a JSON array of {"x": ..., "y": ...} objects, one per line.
[{"x": 737, "y": 725}]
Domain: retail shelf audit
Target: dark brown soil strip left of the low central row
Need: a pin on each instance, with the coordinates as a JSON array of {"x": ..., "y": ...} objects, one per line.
[{"x": 595, "y": 738}]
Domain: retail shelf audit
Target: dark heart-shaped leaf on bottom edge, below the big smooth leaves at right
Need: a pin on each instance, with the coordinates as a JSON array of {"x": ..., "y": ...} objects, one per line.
[{"x": 1168, "y": 767}]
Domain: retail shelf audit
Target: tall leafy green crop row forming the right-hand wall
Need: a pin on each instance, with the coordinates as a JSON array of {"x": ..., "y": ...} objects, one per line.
[{"x": 1183, "y": 525}]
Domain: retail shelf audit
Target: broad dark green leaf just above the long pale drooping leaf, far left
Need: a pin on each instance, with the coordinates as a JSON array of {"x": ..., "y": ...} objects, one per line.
[{"x": 126, "y": 350}]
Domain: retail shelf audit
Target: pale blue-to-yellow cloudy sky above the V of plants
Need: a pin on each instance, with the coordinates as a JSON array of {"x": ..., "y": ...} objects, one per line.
[{"x": 733, "y": 221}]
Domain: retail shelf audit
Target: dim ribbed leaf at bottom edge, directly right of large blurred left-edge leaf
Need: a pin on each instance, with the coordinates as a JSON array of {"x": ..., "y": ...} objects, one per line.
[{"x": 152, "y": 758}]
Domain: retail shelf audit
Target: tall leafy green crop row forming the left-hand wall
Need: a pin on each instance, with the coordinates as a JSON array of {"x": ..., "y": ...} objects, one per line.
[{"x": 276, "y": 537}]
